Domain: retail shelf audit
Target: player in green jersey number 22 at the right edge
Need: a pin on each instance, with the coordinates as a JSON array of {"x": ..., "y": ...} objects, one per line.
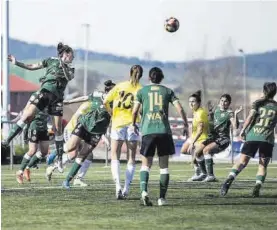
[{"x": 258, "y": 132}]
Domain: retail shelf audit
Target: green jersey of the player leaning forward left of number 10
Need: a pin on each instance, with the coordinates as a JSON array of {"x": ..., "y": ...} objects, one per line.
[{"x": 97, "y": 120}]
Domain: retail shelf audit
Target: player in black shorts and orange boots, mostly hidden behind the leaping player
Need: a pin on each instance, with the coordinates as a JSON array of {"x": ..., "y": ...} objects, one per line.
[{"x": 38, "y": 138}]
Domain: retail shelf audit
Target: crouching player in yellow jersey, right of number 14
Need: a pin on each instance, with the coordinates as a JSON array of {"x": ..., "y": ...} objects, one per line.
[{"x": 200, "y": 124}]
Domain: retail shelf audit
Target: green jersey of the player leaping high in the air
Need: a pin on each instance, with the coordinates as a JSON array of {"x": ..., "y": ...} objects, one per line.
[{"x": 57, "y": 76}]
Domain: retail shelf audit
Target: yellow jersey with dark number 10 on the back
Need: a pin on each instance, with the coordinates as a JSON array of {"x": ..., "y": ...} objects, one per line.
[{"x": 122, "y": 96}]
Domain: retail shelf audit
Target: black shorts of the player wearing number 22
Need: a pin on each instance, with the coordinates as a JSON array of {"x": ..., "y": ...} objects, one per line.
[{"x": 250, "y": 148}]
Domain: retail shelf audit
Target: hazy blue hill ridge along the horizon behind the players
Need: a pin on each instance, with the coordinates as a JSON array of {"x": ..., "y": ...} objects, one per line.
[{"x": 260, "y": 66}]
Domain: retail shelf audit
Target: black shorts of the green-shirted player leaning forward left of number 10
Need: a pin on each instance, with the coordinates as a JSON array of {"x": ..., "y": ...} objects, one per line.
[{"x": 91, "y": 139}]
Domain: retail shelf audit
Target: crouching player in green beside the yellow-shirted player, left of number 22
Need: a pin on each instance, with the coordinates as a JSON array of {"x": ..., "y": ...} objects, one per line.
[{"x": 224, "y": 118}]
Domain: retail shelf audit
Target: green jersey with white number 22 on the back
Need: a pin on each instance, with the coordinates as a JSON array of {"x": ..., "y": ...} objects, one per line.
[{"x": 264, "y": 122}]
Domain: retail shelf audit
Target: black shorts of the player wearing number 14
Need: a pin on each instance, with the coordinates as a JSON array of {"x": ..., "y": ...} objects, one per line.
[{"x": 163, "y": 143}]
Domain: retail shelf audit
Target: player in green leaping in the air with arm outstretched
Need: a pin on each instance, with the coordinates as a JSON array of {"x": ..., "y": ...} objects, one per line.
[{"x": 50, "y": 95}]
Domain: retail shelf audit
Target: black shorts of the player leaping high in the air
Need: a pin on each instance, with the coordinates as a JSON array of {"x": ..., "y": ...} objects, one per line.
[{"x": 44, "y": 99}]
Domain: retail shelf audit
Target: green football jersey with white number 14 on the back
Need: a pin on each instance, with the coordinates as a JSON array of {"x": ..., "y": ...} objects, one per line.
[{"x": 155, "y": 101}]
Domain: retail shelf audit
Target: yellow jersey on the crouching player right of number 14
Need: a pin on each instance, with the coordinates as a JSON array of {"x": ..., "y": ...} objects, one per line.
[{"x": 200, "y": 116}]
